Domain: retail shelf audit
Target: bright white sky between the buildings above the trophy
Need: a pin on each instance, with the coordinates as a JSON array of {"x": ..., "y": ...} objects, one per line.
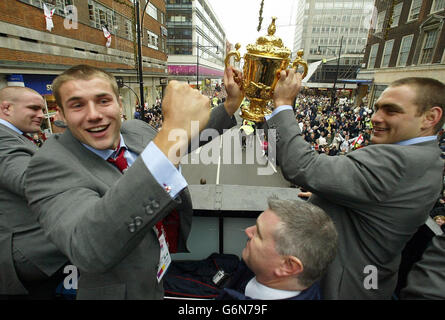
[{"x": 239, "y": 19}]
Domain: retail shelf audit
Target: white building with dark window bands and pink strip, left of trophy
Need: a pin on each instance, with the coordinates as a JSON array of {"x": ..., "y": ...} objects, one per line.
[{"x": 196, "y": 42}]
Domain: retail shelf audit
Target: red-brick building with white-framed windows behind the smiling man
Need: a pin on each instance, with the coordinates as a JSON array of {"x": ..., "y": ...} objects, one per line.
[{"x": 32, "y": 53}]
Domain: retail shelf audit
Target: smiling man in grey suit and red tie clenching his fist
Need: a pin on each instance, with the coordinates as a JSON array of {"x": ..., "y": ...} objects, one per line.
[{"x": 107, "y": 221}]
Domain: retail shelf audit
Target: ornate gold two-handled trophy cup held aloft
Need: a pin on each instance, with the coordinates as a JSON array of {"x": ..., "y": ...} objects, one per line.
[{"x": 263, "y": 63}]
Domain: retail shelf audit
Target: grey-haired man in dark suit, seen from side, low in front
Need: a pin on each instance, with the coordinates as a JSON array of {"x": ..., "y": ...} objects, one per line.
[{"x": 288, "y": 251}]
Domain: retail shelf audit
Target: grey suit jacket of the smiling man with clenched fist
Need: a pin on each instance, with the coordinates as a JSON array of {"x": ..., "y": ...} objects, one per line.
[{"x": 103, "y": 220}]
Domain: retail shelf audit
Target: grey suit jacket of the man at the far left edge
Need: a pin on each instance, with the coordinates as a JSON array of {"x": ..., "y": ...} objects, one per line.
[{"x": 19, "y": 229}]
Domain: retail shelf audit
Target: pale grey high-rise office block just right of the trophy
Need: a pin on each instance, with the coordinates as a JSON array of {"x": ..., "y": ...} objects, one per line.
[{"x": 326, "y": 27}]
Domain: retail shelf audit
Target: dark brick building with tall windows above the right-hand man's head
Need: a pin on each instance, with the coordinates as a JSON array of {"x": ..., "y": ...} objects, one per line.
[{"x": 407, "y": 40}]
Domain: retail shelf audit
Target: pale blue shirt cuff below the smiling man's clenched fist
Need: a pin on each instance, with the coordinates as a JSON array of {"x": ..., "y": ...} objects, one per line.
[{"x": 164, "y": 172}]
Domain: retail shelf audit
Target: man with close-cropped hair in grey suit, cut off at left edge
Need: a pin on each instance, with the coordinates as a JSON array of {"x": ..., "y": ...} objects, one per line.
[{"x": 28, "y": 261}]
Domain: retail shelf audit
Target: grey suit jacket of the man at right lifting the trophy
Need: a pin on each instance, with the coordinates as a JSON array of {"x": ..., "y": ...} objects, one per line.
[{"x": 377, "y": 197}]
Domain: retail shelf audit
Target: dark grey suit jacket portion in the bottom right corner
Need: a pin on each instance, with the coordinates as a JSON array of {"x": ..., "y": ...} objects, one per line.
[{"x": 426, "y": 280}]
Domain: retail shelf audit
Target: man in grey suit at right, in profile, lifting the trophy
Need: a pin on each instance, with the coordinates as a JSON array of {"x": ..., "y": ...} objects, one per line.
[{"x": 377, "y": 196}]
